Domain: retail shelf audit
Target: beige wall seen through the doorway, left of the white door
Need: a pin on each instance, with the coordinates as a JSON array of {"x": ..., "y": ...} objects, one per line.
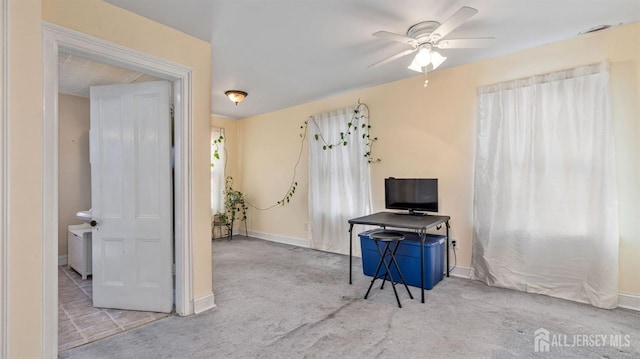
[{"x": 74, "y": 169}]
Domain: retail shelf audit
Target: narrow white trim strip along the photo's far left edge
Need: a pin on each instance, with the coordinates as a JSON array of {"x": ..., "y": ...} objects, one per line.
[{"x": 4, "y": 175}]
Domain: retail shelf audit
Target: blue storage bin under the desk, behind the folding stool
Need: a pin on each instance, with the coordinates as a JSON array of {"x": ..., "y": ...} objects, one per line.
[{"x": 408, "y": 257}]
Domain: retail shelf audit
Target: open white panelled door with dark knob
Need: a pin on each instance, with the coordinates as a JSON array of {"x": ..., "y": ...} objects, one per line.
[{"x": 131, "y": 195}]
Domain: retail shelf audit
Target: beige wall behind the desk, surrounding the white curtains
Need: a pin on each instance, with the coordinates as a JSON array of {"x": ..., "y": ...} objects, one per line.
[{"x": 430, "y": 132}]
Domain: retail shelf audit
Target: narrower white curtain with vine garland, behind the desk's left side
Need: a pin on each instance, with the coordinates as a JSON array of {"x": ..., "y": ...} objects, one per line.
[{"x": 339, "y": 184}]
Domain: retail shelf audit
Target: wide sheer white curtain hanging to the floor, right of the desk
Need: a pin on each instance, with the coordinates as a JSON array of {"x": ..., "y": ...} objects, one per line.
[{"x": 545, "y": 206}]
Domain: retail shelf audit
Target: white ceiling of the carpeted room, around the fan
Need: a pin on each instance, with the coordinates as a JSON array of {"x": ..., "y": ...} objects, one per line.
[{"x": 289, "y": 52}]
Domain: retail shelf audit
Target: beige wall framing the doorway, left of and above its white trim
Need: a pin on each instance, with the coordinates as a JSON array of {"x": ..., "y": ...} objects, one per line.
[{"x": 113, "y": 24}]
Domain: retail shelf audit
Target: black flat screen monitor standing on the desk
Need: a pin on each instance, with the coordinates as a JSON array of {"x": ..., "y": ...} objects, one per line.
[{"x": 412, "y": 194}]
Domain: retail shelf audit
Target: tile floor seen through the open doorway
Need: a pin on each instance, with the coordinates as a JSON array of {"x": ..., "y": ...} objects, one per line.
[{"x": 80, "y": 323}]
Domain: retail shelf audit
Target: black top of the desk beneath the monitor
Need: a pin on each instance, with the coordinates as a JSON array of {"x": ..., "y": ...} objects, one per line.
[{"x": 393, "y": 219}]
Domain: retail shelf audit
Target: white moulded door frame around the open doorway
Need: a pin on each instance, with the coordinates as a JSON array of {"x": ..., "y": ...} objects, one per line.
[{"x": 54, "y": 39}]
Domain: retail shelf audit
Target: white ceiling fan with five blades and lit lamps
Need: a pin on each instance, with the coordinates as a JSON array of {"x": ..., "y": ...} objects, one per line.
[{"x": 424, "y": 36}]
